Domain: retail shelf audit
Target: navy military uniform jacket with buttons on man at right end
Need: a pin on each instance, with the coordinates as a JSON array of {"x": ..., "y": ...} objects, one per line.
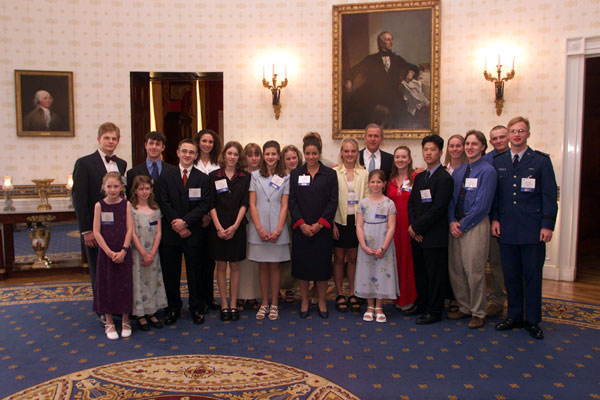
[{"x": 522, "y": 214}]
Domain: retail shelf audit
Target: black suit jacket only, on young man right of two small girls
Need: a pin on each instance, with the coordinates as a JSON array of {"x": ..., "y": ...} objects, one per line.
[{"x": 175, "y": 203}]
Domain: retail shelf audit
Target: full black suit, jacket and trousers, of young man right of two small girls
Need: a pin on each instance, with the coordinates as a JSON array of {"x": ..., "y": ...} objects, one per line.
[{"x": 176, "y": 203}]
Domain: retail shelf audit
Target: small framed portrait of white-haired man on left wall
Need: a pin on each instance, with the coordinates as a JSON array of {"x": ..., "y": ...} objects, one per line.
[{"x": 44, "y": 102}]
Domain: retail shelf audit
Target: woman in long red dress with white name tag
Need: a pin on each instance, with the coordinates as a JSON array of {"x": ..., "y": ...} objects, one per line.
[{"x": 399, "y": 188}]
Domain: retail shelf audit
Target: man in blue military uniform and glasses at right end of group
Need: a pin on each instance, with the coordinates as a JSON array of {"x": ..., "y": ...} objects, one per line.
[{"x": 523, "y": 218}]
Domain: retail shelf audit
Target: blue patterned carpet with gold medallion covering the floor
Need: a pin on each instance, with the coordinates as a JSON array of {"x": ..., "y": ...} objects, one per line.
[{"x": 52, "y": 347}]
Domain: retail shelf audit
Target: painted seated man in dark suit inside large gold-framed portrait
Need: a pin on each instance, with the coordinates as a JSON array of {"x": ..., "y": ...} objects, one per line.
[{"x": 380, "y": 98}]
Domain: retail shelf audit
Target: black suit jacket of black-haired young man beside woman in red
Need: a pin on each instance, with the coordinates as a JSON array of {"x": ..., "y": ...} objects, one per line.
[{"x": 431, "y": 219}]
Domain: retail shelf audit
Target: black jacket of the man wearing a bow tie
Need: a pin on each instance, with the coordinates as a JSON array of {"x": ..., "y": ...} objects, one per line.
[{"x": 87, "y": 187}]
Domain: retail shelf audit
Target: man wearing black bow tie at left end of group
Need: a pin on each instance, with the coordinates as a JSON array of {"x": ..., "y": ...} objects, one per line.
[{"x": 87, "y": 187}]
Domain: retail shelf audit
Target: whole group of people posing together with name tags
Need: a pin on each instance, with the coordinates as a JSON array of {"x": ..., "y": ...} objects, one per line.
[{"x": 418, "y": 237}]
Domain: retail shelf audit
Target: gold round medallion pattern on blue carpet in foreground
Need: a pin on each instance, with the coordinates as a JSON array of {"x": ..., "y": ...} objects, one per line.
[{"x": 190, "y": 377}]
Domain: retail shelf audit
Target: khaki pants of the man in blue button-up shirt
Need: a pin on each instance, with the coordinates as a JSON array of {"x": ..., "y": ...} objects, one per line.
[{"x": 467, "y": 257}]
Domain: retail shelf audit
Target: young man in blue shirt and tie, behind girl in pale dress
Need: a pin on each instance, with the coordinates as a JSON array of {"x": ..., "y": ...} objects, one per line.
[{"x": 154, "y": 167}]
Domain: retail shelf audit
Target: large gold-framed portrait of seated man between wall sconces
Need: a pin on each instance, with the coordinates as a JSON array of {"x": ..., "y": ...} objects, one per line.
[{"x": 386, "y": 68}]
